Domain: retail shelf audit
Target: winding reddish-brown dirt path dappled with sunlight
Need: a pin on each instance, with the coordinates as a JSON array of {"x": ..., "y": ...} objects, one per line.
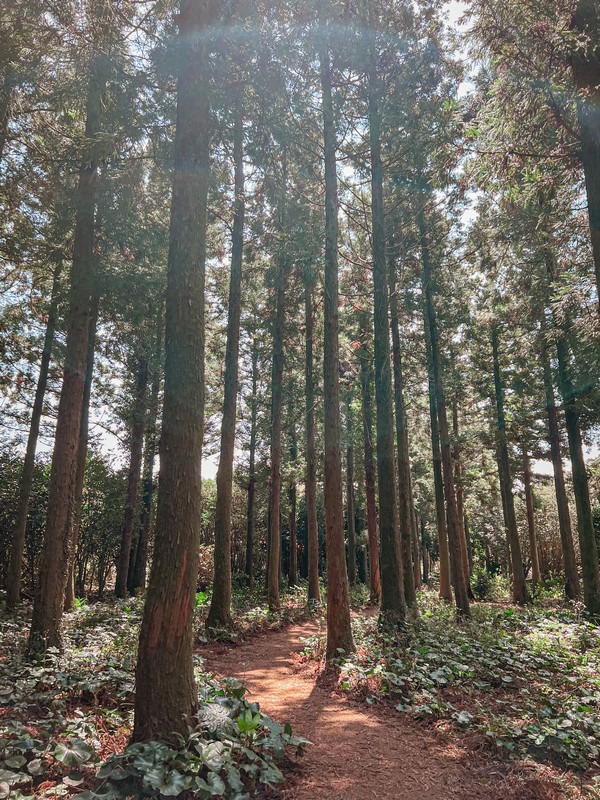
[{"x": 359, "y": 752}]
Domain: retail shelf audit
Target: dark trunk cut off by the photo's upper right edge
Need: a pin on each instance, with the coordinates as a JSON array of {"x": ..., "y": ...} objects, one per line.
[{"x": 585, "y": 63}]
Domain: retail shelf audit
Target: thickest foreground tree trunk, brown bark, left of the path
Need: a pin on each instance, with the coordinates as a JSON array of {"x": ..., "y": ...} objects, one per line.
[{"x": 166, "y": 698}]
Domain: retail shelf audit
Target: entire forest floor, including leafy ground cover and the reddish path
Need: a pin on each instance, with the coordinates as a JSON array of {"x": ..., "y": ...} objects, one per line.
[{"x": 502, "y": 706}]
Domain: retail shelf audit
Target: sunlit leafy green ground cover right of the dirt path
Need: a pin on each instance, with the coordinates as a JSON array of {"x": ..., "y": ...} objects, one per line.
[{"x": 527, "y": 680}]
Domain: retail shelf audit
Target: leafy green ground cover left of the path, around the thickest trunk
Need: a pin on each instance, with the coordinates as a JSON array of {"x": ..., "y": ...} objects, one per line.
[{"x": 65, "y": 721}]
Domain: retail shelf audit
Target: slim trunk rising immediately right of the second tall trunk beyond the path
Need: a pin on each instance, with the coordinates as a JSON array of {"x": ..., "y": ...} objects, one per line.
[{"x": 404, "y": 479}]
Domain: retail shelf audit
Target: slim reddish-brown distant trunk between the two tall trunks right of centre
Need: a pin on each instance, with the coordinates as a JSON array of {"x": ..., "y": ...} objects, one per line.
[{"x": 369, "y": 465}]
